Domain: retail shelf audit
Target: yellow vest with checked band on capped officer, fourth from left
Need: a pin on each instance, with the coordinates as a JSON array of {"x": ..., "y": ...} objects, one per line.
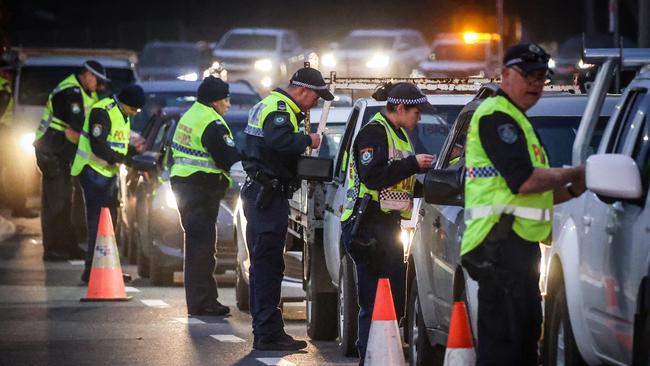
[{"x": 274, "y": 102}]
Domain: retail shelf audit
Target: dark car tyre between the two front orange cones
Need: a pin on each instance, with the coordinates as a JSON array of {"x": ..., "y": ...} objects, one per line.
[{"x": 420, "y": 350}]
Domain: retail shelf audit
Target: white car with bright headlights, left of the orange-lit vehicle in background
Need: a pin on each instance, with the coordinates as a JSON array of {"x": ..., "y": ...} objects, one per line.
[{"x": 376, "y": 53}]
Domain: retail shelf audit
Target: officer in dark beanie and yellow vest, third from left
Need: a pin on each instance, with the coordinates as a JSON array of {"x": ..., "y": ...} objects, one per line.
[{"x": 203, "y": 151}]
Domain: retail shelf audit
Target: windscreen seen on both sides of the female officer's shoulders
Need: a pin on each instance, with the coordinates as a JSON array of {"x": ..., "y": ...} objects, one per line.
[{"x": 430, "y": 133}]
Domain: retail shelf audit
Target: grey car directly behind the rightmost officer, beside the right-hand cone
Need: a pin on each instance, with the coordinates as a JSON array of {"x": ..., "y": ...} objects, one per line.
[{"x": 435, "y": 278}]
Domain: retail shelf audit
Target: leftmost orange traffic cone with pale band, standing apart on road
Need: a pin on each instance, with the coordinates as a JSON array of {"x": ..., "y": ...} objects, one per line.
[{"x": 106, "y": 282}]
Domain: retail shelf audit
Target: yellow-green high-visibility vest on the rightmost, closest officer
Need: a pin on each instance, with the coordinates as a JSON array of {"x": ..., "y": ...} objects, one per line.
[{"x": 487, "y": 195}]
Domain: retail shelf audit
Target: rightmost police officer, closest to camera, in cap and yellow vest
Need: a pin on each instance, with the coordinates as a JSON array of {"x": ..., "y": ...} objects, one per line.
[{"x": 509, "y": 195}]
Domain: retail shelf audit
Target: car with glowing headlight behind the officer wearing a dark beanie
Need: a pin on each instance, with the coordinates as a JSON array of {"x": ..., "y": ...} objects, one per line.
[{"x": 148, "y": 226}]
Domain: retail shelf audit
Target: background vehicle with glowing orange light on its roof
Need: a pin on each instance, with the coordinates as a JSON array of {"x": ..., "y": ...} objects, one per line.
[{"x": 461, "y": 55}]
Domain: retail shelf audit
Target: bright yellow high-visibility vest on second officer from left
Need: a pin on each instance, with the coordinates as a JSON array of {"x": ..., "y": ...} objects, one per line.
[{"x": 118, "y": 139}]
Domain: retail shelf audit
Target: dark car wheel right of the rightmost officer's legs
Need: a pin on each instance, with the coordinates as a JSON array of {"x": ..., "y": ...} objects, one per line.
[{"x": 561, "y": 348}]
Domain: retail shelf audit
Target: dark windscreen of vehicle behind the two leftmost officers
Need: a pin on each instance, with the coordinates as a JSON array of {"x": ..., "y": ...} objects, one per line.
[{"x": 37, "y": 82}]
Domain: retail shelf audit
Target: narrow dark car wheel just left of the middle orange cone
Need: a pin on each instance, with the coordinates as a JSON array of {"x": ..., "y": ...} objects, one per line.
[{"x": 348, "y": 308}]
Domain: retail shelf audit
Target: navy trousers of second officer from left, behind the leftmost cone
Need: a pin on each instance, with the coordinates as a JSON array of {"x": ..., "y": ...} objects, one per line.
[{"x": 99, "y": 191}]
